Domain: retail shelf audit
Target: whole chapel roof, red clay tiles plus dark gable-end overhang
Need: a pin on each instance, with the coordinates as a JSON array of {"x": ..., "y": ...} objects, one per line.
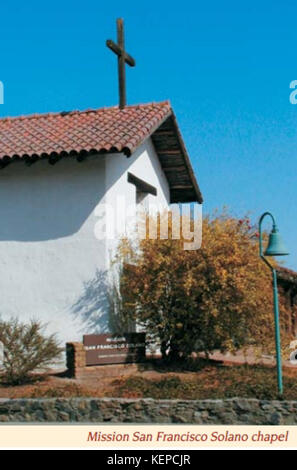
[{"x": 104, "y": 130}]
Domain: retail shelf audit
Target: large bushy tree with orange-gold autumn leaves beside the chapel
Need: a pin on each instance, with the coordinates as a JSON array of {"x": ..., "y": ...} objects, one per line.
[{"x": 215, "y": 297}]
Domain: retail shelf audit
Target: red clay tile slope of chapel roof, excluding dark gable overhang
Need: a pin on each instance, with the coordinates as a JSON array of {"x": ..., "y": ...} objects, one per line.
[{"x": 103, "y": 130}]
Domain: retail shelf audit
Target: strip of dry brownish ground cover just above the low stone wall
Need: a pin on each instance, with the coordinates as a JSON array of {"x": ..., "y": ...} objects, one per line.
[{"x": 197, "y": 380}]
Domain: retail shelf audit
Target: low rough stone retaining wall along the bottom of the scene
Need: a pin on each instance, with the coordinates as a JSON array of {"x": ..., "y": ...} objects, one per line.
[{"x": 113, "y": 410}]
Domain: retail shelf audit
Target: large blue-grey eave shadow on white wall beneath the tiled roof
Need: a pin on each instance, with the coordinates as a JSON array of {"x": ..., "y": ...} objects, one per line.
[{"x": 48, "y": 202}]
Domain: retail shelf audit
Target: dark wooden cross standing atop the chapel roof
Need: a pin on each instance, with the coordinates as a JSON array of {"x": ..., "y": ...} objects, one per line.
[{"x": 123, "y": 58}]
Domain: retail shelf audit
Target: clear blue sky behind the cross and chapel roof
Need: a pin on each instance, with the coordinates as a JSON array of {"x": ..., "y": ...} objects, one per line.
[{"x": 225, "y": 66}]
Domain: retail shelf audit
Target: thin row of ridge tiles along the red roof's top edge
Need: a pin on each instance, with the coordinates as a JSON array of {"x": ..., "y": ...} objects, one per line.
[{"x": 85, "y": 111}]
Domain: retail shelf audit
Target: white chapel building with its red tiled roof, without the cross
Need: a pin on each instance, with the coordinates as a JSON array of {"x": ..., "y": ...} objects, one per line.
[{"x": 58, "y": 173}]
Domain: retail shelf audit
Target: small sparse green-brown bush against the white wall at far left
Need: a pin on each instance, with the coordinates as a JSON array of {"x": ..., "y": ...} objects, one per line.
[{"x": 25, "y": 349}]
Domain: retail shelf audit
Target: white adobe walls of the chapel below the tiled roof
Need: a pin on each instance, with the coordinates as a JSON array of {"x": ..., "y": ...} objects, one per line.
[{"x": 53, "y": 267}]
